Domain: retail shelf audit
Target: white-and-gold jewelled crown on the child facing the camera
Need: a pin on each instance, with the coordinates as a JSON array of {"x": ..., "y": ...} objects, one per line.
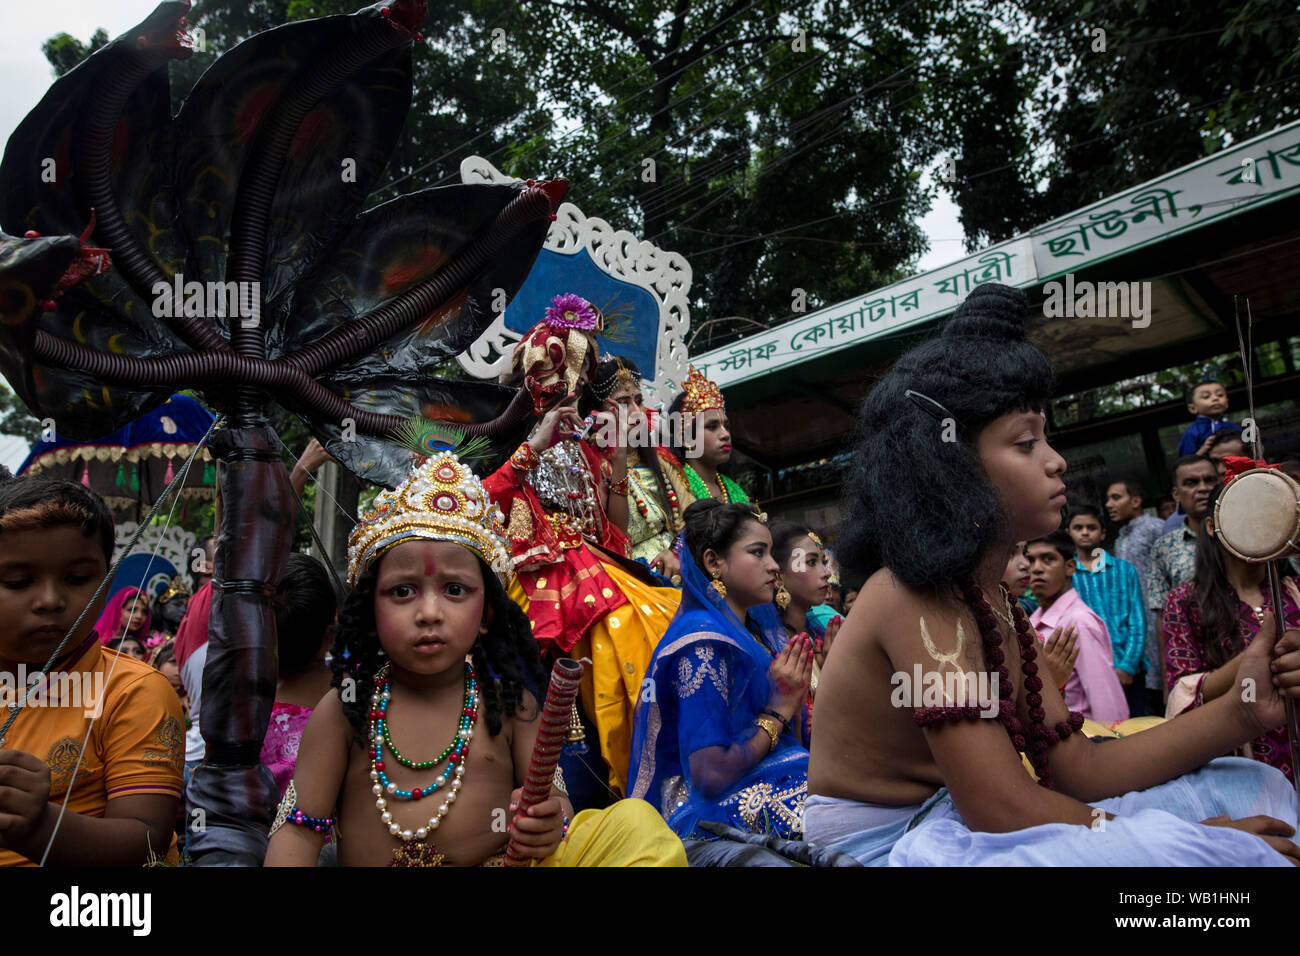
[{"x": 440, "y": 501}]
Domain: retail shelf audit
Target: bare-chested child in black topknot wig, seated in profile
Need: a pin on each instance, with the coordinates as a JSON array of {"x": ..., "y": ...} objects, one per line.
[{"x": 943, "y": 785}]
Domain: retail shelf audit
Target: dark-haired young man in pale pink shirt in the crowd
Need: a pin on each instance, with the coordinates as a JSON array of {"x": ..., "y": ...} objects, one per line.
[{"x": 1094, "y": 690}]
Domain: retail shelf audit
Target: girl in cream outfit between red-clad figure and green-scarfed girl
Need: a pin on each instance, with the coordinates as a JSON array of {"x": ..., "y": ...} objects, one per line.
[{"x": 658, "y": 492}]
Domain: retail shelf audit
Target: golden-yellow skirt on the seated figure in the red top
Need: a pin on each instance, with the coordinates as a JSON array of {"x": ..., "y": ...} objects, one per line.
[{"x": 621, "y": 646}]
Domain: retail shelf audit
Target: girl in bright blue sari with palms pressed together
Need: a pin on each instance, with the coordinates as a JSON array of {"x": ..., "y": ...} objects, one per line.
[{"x": 720, "y": 732}]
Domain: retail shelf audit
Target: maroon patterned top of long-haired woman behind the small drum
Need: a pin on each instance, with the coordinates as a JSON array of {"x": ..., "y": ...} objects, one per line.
[{"x": 1185, "y": 656}]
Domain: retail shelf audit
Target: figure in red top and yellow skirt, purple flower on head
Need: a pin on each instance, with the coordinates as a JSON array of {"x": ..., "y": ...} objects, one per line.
[{"x": 566, "y": 500}]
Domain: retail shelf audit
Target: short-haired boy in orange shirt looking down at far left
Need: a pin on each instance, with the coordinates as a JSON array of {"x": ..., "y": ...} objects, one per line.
[{"x": 102, "y": 733}]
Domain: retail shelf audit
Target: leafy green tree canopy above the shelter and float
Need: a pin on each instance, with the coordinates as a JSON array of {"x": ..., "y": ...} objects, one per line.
[{"x": 779, "y": 146}]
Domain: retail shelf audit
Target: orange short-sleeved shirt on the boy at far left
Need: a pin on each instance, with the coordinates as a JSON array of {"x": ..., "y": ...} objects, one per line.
[{"x": 137, "y": 734}]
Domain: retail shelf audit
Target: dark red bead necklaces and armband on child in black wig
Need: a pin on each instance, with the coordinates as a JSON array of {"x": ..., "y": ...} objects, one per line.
[{"x": 1037, "y": 739}]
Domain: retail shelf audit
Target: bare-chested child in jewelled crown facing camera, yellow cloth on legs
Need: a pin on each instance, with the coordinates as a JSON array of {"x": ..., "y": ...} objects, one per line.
[{"x": 435, "y": 651}]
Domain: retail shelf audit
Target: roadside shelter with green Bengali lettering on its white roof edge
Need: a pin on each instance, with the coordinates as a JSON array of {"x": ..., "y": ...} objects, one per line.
[{"x": 1223, "y": 227}]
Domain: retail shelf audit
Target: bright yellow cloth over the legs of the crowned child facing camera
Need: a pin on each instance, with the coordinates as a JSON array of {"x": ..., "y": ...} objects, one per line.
[{"x": 627, "y": 834}]
